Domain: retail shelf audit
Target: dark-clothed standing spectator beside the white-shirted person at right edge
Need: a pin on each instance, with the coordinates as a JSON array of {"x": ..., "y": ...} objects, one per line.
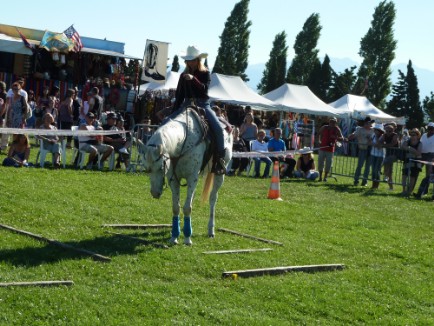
[{"x": 411, "y": 169}]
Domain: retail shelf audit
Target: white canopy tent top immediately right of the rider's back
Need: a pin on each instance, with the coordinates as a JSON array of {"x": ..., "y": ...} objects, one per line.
[{"x": 233, "y": 90}]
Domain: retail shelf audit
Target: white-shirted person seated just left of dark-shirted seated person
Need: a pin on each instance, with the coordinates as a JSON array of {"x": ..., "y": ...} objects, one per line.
[{"x": 90, "y": 144}]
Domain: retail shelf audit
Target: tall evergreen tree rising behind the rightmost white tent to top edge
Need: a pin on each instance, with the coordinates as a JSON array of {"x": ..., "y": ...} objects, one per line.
[{"x": 377, "y": 48}]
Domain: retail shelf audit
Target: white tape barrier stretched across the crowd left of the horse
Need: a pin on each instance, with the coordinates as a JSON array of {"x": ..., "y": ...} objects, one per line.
[{"x": 46, "y": 132}]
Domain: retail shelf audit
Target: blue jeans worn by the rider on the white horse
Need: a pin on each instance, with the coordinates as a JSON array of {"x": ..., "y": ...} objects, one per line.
[{"x": 213, "y": 121}]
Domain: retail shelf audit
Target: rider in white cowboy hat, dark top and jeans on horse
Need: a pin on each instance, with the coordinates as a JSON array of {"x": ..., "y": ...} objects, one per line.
[{"x": 192, "y": 89}]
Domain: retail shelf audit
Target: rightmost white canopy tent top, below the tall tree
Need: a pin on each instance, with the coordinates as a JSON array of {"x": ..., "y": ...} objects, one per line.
[{"x": 359, "y": 107}]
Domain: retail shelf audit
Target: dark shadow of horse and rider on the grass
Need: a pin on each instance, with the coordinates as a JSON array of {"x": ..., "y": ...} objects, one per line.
[{"x": 109, "y": 246}]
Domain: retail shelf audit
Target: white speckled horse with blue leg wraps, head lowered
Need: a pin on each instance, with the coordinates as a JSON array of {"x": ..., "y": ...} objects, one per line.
[{"x": 176, "y": 151}]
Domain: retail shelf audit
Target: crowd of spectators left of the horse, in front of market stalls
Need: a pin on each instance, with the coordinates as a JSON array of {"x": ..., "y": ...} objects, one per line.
[{"x": 88, "y": 110}]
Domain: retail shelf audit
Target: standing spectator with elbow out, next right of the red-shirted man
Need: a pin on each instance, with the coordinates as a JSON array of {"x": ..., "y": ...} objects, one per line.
[{"x": 363, "y": 135}]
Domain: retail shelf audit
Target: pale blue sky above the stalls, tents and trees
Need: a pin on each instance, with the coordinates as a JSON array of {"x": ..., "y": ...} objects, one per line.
[{"x": 182, "y": 23}]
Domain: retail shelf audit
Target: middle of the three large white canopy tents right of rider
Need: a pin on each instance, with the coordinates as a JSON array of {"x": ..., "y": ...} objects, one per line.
[{"x": 300, "y": 99}]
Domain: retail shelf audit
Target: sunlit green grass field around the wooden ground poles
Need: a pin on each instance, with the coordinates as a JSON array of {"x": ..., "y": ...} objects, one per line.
[{"x": 384, "y": 241}]
